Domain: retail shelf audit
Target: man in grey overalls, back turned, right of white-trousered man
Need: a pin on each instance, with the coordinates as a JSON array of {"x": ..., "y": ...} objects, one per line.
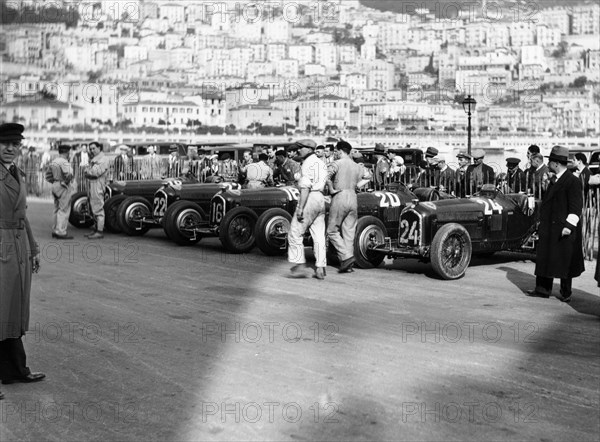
[{"x": 343, "y": 212}]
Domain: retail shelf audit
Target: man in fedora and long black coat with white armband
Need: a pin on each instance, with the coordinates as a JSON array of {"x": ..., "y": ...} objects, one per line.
[{"x": 559, "y": 249}]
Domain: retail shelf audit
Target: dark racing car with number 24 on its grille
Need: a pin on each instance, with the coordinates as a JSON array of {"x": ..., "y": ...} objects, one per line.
[{"x": 448, "y": 232}]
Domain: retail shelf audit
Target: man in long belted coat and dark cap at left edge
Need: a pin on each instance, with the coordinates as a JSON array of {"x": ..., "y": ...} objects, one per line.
[{"x": 20, "y": 257}]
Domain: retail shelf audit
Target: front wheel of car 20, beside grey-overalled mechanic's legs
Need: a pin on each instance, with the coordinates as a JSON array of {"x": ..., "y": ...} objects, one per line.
[{"x": 368, "y": 230}]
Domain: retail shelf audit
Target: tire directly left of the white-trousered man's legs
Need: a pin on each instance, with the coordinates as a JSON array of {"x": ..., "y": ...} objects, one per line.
[{"x": 272, "y": 222}]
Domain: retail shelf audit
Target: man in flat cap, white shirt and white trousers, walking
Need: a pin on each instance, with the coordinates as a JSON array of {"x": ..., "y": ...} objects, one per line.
[{"x": 310, "y": 213}]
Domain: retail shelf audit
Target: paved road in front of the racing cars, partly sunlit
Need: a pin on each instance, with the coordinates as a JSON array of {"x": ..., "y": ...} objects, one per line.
[{"x": 145, "y": 340}]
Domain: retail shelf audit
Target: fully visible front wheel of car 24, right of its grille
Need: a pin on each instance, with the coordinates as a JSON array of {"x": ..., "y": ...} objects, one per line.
[{"x": 451, "y": 251}]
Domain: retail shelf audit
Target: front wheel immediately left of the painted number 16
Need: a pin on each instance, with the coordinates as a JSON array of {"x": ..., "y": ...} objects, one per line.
[{"x": 179, "y": 216}]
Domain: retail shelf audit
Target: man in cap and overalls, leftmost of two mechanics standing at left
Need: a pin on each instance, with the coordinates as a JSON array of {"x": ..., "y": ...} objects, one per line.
[{"x": 60, "y": 174}]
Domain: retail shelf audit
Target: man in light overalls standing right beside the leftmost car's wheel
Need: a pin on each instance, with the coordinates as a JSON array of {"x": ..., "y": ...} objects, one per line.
[{"x": 97, "y": 175}]
